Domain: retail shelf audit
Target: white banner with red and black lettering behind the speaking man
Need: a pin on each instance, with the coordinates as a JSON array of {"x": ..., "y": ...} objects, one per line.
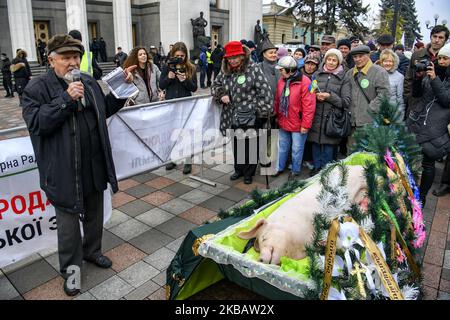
[{"x": 27, "y": 219}]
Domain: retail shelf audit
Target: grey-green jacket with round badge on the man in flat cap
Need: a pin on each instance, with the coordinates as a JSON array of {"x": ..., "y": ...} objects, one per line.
[{"x": 378, "y": 86}]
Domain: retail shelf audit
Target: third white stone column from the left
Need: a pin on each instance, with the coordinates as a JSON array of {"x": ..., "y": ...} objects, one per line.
[{"x": 123, "y": 34}]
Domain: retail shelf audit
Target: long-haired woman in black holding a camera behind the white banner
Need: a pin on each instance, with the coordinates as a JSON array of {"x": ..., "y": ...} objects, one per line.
[{"x": 179, "y": 80}]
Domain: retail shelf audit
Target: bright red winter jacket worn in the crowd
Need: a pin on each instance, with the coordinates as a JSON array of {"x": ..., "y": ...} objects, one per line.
[{"x": 302, "y": 105}]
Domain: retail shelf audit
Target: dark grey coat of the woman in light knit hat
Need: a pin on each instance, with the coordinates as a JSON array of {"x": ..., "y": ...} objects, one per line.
[{"x": 338, "y": 85}]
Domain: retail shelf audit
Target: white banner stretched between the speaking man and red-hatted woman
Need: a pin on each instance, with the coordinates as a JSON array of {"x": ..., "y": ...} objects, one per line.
[{"x": 145, "y": 138}]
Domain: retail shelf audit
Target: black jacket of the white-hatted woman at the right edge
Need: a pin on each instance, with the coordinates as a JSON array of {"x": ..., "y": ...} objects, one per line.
[{"x": 430, "y": 117}]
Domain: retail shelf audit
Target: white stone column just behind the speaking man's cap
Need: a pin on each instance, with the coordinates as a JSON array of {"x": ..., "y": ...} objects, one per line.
[{"x": 77, "y": 19}]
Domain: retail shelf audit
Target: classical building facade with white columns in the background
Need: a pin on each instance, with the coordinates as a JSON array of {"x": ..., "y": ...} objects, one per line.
[{"x": 124, "y": 23}]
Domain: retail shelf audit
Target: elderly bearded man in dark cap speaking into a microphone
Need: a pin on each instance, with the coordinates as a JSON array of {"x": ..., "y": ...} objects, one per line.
[{"x": 66, "y": 119}]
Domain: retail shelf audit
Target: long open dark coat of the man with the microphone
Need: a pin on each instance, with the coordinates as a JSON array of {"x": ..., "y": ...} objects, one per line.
[{"x": 49, "y": 113}]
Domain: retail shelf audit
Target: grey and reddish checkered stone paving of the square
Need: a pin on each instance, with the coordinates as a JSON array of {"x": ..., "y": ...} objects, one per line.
[{"x": 152, "y": 214}]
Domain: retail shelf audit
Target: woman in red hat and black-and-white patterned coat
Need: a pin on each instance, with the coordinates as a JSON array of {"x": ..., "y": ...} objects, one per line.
[{"x": 244, "y": 93}]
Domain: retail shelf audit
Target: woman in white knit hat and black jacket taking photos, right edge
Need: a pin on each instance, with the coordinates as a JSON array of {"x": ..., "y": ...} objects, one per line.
[{"x": 430, "y": 115}]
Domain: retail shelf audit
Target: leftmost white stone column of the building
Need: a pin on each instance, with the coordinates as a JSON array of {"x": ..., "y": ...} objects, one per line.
[{"x": 21, "y": 27}]
